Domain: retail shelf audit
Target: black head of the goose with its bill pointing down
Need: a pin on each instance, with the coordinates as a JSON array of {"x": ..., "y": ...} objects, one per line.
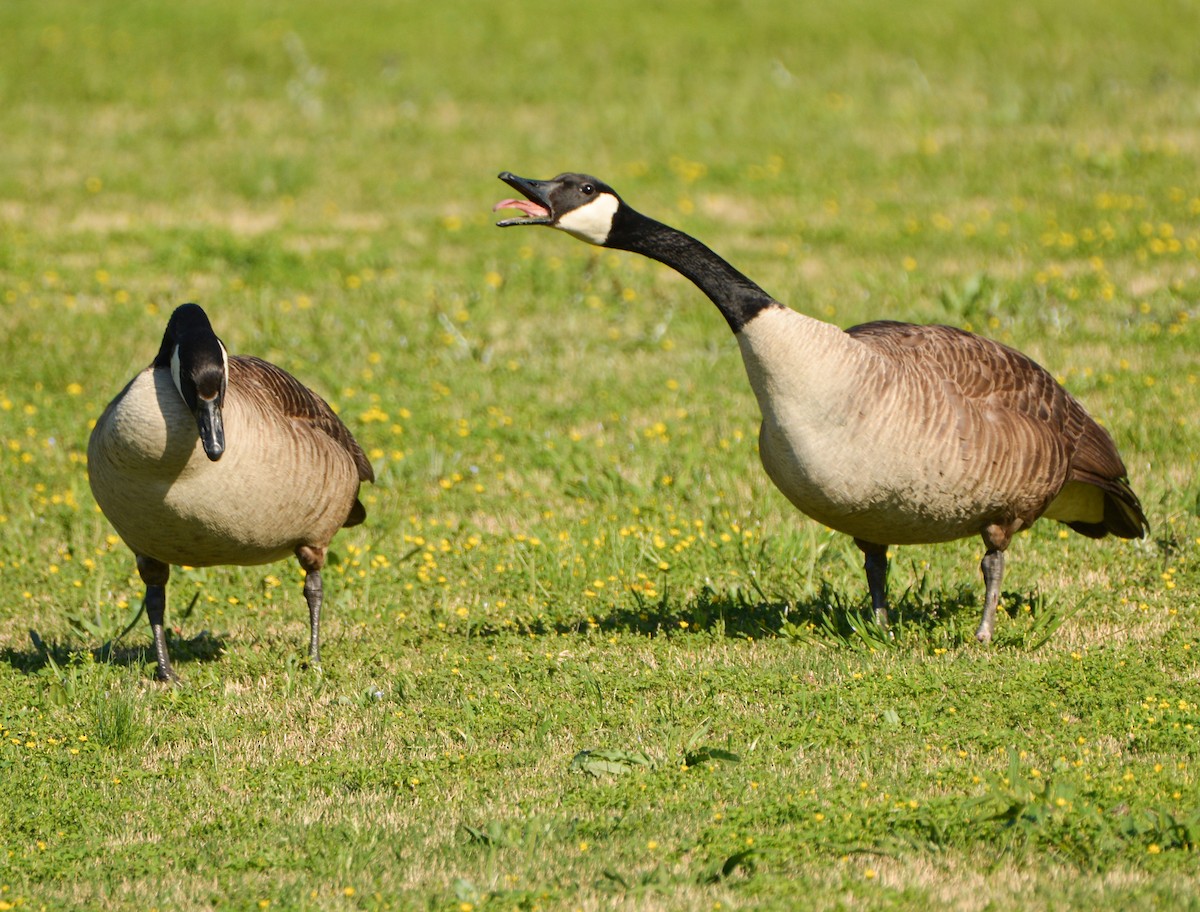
[{"x": 200, "y": 367}]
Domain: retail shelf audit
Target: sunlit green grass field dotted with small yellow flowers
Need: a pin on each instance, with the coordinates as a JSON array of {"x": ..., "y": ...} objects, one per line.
[{"x": 583, "y": 655}]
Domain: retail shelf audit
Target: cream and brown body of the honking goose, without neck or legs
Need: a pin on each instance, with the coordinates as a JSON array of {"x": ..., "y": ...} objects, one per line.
[{"x": 958, "y": 445}]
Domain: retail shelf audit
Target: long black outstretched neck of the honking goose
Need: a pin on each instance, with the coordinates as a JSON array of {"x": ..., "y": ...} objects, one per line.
[{"x": 737, "y": 298}]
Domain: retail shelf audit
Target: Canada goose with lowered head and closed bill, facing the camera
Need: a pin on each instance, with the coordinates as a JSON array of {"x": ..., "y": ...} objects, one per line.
[{"x": 205, "y": 459}]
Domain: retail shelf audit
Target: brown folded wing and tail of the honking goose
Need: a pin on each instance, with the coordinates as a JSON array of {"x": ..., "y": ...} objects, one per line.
[{"x": 999, "y": 379}]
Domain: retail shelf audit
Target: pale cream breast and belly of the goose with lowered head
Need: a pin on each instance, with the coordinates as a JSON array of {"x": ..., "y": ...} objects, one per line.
[{"x": 169, "y": 501}]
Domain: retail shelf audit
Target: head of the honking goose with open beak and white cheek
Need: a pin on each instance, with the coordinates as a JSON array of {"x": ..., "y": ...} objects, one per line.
[{"x": 578, "y": 205}]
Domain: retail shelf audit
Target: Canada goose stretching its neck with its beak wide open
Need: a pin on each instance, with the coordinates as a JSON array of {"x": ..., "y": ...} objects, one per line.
[{"x": 891, "y": 433}]
